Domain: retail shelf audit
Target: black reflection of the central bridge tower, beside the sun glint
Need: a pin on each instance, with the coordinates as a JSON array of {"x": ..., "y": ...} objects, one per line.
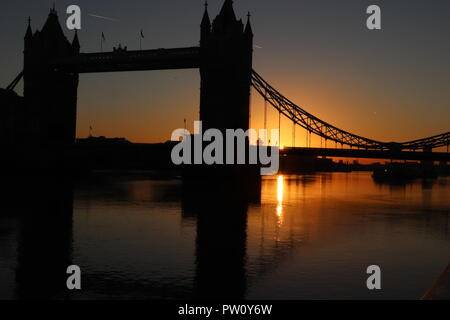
[{"x": 221, "y": 213}]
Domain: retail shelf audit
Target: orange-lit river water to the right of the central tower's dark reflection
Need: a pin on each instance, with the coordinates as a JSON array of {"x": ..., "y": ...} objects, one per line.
[{"x": 335, "y": 225}]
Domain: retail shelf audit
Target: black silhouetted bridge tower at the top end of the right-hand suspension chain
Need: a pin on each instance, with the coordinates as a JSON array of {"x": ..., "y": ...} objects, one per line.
[{"x": 226, "y": 49}]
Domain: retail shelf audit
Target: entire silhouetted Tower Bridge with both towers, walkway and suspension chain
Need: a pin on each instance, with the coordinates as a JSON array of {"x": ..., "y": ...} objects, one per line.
[{"x": 52, "y": 65}]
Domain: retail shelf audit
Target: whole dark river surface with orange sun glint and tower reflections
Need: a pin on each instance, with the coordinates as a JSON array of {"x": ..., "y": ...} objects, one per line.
[{"x": 307, "y": 237}]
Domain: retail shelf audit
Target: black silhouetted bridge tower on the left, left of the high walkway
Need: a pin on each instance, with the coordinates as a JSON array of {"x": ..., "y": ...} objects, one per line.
[{"x": 50, "y": 94}]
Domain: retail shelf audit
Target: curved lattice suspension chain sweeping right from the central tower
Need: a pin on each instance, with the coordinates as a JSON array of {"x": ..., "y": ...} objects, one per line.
[{"x": 314, "y": 125}]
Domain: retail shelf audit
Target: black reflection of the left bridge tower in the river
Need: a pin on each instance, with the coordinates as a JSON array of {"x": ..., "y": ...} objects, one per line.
[{"x": 44, "y": 237}]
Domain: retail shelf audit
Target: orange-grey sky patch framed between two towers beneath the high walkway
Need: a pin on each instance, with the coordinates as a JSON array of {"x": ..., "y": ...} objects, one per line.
[{"x": 146, "y": 110}]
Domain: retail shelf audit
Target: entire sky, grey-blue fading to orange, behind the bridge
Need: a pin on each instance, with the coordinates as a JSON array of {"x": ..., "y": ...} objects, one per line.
[{"x": 389, "y": 85}]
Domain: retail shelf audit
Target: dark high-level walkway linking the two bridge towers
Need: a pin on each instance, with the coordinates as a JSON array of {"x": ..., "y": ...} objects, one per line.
[{"x": 122, "y": 60}]
